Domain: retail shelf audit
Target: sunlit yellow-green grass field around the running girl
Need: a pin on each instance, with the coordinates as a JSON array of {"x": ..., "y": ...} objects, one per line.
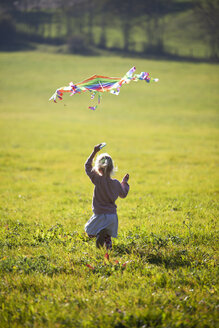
[{"x": 162, "y": 271}]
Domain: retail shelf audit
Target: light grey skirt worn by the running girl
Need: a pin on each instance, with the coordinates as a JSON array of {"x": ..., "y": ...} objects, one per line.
[{"x": 99, "y": 222}]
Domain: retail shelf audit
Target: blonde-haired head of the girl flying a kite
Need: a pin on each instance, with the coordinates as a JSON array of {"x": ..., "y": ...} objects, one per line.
[{"x": 104, "y": 165}]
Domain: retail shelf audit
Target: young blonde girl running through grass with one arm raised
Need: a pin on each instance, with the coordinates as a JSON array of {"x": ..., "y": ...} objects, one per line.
[{"x": 104, "y": 222}]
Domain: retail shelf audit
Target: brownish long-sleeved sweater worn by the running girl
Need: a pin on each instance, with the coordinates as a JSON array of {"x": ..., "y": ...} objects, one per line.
[{"x": 106, "y": 190}]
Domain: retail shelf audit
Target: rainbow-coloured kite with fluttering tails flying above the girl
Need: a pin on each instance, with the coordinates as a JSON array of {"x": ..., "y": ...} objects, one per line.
[{"x": 97, "y": 84}]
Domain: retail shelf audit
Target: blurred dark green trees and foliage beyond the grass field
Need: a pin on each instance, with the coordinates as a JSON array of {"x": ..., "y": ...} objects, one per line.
[{"x": 143, "y": 27}]
